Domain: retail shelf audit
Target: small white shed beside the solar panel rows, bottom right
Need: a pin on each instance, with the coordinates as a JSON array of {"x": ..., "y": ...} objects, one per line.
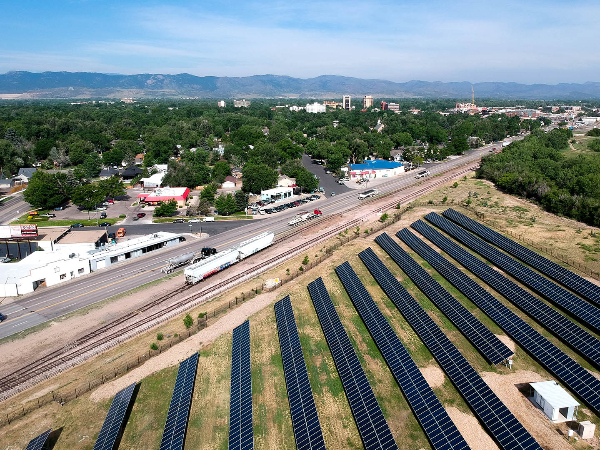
[{"x": 556, "y": 403}]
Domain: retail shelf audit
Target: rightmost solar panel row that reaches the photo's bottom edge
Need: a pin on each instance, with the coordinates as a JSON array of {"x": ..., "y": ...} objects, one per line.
[{"x": 495, "y": 416}]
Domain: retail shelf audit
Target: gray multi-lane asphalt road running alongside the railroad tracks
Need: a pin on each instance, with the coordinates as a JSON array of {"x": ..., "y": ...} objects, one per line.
[{"x": 51, "y": 302}]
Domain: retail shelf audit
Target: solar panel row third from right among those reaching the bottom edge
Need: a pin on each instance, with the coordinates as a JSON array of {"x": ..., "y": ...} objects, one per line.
[{"x": 372, "y": 427}]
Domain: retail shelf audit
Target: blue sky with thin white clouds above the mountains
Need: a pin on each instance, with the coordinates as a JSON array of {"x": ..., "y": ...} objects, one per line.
[{"x": 539, "y": 41}]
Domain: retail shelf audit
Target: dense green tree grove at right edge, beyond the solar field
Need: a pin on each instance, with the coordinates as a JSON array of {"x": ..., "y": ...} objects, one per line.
[{"x": 538, "y": 168}]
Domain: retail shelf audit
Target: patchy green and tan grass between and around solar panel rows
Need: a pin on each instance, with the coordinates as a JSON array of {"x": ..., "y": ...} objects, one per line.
[{"x": 209, "y": 416}]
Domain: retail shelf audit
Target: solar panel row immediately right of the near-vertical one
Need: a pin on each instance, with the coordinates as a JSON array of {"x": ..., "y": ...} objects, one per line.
[{"x": 305, "y": 420}]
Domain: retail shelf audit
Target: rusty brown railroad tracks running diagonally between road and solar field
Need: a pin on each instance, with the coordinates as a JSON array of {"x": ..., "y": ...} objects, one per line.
[{"x": 119, "y": 330}]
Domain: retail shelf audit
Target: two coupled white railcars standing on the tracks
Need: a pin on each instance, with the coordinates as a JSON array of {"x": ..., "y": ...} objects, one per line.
[{"x": 215, "y": 263}]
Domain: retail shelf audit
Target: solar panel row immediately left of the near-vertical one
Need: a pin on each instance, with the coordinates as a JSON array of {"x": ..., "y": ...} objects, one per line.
[{"x": 177, "y": 417}]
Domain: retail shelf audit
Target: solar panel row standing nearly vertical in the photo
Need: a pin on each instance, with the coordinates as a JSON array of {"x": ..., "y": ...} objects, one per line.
[{"x": 241, "y": 435}]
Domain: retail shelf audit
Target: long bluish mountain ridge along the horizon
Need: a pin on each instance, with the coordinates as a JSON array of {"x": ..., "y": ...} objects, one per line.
[{"x": 87, "y": 84}]
